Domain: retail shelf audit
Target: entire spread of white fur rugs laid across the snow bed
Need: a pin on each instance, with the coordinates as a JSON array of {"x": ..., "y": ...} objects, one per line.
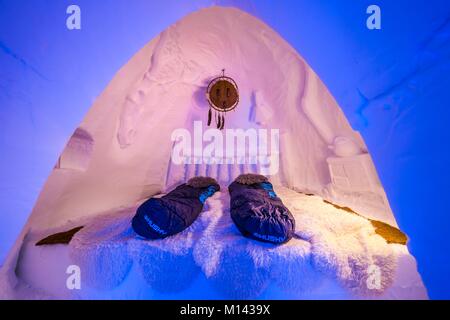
[{"x": 329, "y": 241}]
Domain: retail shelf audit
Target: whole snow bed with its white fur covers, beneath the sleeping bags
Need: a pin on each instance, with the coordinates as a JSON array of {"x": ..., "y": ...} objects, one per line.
[{"x": 333, "y": 251}]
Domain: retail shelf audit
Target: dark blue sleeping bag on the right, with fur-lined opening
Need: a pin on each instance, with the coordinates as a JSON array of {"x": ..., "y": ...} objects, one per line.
[{"x": 257, "y": 211}]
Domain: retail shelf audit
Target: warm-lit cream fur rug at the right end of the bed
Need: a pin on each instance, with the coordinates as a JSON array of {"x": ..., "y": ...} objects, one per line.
[{"x": 343, "y": 245}]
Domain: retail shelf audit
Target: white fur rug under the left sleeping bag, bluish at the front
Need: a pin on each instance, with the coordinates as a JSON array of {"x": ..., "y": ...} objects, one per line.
[{"x": 106, "y": 248}]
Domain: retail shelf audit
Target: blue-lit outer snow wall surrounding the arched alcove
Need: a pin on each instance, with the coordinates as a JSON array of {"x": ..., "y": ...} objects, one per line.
[{"x": 393, "y": 85}]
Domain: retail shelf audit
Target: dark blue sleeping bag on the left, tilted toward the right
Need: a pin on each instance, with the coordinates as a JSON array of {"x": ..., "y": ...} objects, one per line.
[{"x": 158, "y": 218}]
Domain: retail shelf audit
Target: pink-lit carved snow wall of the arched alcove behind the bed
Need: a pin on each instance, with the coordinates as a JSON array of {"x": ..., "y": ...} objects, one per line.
[{"x": 161, "y": 89}]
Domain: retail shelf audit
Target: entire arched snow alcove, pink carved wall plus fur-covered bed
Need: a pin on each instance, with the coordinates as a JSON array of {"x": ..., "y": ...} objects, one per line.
[{"x": 154, "y": 111}]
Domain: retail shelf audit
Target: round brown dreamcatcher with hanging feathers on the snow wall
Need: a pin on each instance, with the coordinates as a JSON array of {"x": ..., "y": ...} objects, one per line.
[{"x": 223, "y": 96}]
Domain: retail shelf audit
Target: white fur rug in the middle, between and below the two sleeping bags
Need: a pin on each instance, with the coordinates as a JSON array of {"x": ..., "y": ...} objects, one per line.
[{"x": 242, "y": 268}]
